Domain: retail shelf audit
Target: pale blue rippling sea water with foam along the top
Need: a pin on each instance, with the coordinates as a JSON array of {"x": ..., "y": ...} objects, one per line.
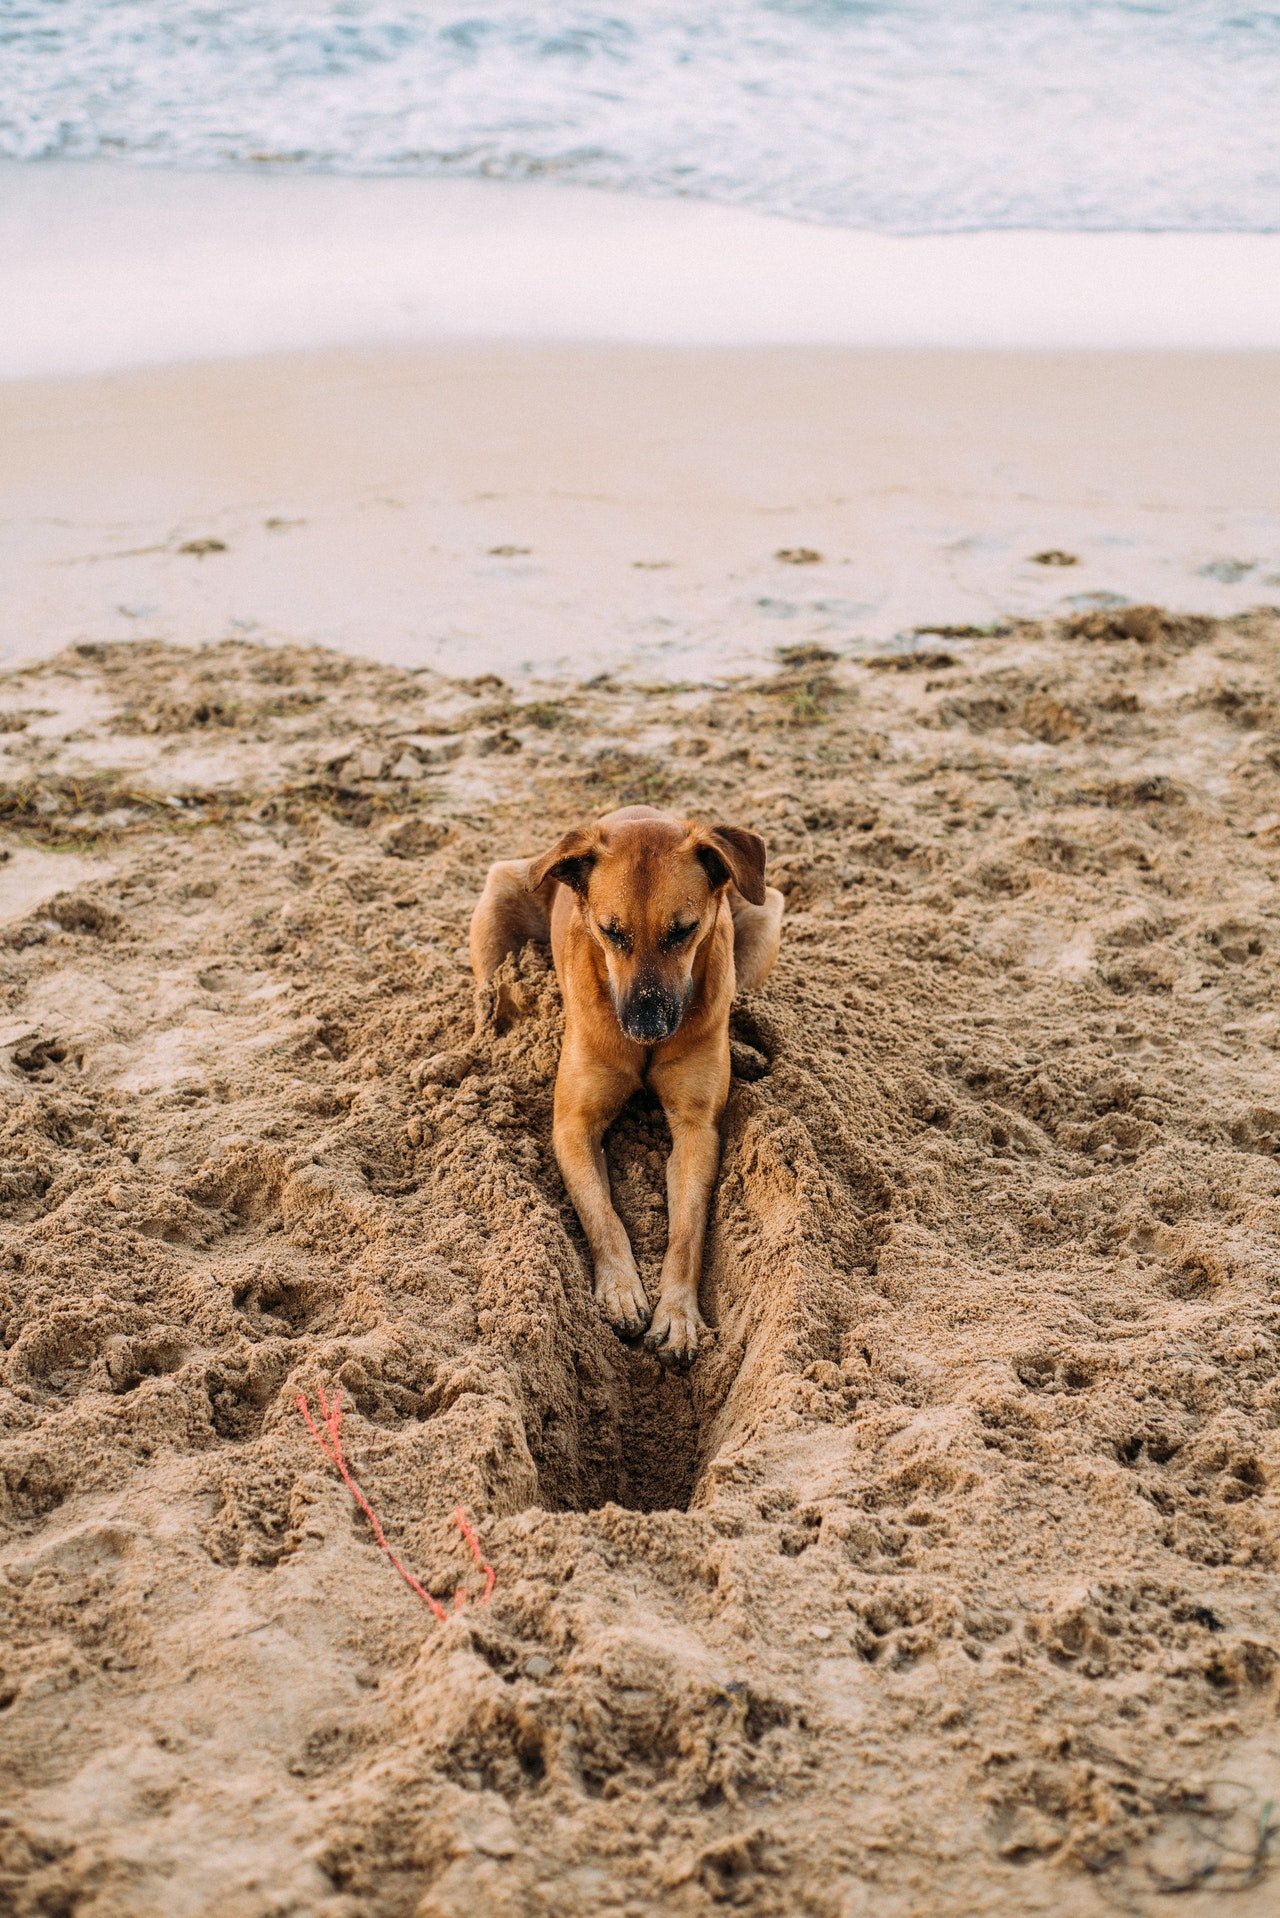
[{"x": 893, "y": 116}]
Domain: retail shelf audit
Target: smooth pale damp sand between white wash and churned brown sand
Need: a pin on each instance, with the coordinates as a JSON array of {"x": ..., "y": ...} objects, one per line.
[{"x": 577, "y": 507}]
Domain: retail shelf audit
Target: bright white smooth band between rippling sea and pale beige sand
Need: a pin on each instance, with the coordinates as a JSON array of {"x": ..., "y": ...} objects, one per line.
[{"x": 124, "y": 268}]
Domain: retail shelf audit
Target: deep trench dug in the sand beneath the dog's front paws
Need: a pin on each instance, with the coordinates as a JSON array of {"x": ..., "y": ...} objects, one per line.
[{"x": 604, "y": 1420}]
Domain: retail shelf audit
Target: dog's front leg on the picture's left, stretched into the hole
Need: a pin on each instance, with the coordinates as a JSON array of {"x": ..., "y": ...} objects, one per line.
[{"x": 586, "y": 1100}]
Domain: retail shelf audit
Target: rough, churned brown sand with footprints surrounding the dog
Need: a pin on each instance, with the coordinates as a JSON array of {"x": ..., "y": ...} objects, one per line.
[{"x": 943, "y": 1585}]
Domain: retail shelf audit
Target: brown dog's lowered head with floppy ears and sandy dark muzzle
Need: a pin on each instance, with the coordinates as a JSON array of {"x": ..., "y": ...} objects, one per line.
[{"x": 650, "y": 889}]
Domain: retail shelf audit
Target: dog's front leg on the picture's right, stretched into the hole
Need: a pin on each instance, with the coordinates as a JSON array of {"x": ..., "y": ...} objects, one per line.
[{"x": 694, "y": 1096}]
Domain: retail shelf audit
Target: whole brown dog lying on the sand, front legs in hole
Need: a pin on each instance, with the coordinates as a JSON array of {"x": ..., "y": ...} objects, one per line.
[{"x": 653, "y": 925}]
